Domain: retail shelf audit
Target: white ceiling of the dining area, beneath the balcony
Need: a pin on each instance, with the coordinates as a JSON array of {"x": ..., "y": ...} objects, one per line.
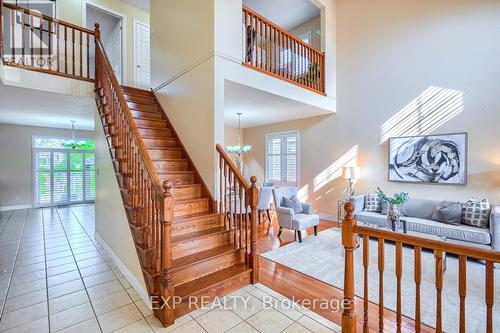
[{"x": 260, "y": 108}]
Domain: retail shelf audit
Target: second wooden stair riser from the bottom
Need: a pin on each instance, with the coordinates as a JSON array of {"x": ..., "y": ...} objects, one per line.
[{"x": 198, "y": 270}]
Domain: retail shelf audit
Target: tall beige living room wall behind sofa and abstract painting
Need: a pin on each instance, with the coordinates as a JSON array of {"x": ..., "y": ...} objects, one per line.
[{"x": 388, "y": 55}]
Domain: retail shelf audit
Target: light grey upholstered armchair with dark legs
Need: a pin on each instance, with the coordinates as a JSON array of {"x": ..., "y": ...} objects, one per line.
[{"x": 288, "y": 219}]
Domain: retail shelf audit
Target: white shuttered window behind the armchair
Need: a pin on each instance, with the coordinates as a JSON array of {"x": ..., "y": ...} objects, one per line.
[{"x": 282, "y": 158}]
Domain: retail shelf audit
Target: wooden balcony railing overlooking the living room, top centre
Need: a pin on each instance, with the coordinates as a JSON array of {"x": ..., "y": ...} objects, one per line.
[{"x": 271, "y": 49}]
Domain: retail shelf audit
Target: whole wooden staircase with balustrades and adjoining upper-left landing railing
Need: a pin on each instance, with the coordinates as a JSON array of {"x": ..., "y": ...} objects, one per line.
[{"x": 190, "y": 247}]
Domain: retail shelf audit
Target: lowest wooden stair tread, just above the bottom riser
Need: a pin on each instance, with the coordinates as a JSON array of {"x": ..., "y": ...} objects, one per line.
[{"x": 206, "y": 281}]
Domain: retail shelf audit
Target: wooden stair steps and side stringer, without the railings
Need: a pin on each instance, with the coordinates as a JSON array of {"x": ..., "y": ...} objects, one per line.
[{"x": 206, "y": 257}]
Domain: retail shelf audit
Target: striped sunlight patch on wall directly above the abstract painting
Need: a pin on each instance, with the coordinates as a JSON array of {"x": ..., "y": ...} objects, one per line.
[{"x": 434, "y": 107}]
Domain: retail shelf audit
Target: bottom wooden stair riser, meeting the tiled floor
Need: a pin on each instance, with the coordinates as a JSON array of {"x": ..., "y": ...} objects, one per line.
[{"x": 217, "y": 290}]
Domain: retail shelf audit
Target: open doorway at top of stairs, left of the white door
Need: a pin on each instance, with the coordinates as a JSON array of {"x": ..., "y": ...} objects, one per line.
[{"x": 111, "y": 25}]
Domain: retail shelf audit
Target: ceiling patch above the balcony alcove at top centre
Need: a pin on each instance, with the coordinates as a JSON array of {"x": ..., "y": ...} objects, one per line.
[{"x": 288, "y": 14}]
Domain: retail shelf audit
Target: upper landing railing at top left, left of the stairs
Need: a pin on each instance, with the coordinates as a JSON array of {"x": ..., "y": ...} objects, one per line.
[{"x": 33, "y": 41}]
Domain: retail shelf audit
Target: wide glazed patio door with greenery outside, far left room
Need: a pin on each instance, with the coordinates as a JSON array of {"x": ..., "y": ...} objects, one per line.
[{"x": 63, "y": 175}]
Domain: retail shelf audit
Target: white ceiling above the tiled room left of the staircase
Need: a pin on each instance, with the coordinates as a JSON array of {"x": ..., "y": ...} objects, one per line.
[{"x": 29, "y": 107}]
